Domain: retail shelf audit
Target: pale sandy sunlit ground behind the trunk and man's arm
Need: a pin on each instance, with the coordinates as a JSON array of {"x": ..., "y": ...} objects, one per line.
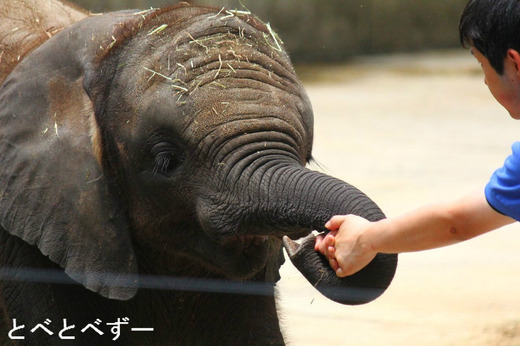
[{"x": 409, "y": 130}]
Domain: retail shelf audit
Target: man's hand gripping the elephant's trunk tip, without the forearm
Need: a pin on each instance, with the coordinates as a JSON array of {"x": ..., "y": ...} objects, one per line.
[{"x": 346, "y": 246}]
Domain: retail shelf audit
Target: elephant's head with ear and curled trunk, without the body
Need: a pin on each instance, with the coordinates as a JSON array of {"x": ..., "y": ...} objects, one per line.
[{"x": 173, "y": 142}]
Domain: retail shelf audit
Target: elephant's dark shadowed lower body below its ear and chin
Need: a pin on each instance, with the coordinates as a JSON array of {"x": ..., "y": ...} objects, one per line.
[{"x": 178, "y": 317}]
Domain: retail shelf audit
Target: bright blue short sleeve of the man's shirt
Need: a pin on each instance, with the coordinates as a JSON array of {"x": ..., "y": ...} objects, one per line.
[{"x": 503, "y": 189}]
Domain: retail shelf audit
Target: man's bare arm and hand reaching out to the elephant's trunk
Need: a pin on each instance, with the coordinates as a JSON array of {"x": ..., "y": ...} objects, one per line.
[{"x": 354, "y": 241}]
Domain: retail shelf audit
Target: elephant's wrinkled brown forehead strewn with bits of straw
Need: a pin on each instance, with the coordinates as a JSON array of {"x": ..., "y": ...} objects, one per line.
[{"x": 215, "y": 76}]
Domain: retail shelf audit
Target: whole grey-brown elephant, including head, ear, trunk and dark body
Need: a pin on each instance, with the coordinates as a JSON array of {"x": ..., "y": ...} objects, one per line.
[{"x": 152, "y": 167}]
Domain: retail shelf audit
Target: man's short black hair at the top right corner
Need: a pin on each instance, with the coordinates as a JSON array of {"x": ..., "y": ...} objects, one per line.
[{"x": 492, "y": 27}]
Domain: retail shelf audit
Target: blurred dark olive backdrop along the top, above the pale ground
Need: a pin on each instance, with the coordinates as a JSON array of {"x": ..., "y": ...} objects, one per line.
[{"x": 335, "y": 30}]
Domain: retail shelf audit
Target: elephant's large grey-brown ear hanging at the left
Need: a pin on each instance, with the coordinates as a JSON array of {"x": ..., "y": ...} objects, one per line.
[{"x": 54, "y": 192}]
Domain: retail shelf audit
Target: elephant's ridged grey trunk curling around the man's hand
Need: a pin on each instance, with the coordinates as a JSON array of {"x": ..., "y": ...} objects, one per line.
[{"x": 280, "y": 199}]
